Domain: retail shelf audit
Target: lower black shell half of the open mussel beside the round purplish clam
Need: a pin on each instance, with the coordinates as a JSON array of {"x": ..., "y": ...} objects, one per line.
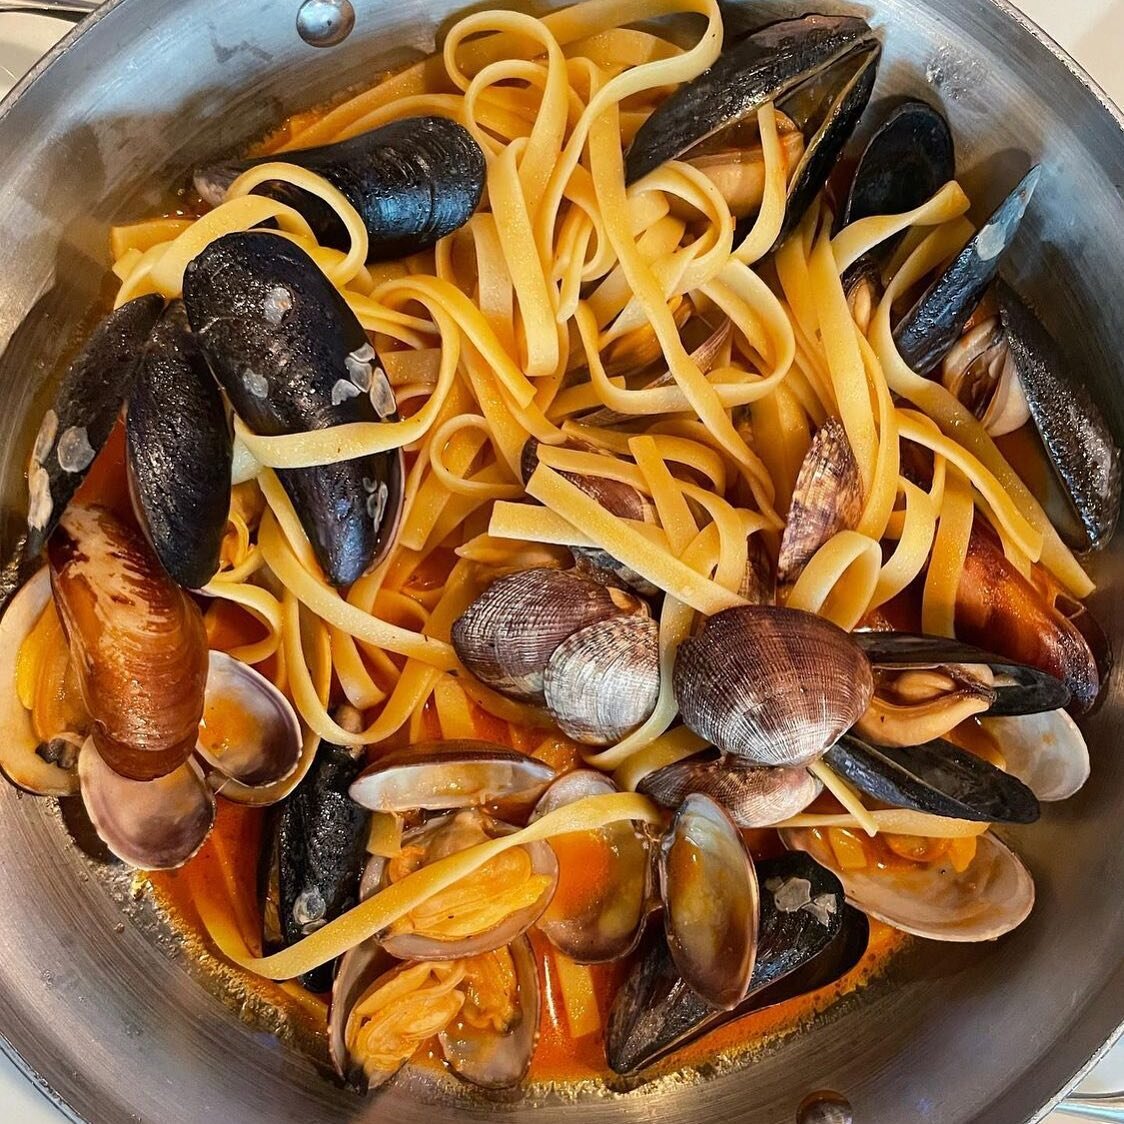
[{"x": 937, "y": 778}]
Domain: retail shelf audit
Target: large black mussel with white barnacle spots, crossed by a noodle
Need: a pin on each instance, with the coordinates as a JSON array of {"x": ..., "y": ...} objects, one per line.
[{"x": 293, "y": 358}]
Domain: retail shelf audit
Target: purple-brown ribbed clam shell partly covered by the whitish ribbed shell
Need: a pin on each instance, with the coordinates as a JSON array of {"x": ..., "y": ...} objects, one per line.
[{"x": 509, "y": 634}]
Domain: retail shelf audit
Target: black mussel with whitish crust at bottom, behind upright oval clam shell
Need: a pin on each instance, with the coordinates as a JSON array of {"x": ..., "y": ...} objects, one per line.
[{"x": 802, "y": 919}]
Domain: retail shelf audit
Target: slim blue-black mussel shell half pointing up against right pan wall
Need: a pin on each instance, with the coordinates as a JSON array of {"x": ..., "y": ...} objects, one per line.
[{"x": 935, "y": 324}]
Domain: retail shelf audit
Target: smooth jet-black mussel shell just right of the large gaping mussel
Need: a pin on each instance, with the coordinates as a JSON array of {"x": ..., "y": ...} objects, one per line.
[{"x": 908, "y": 161}]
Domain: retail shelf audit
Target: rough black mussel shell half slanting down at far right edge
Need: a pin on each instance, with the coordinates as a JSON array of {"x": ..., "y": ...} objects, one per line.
[{"x": 1074, "y": 431}]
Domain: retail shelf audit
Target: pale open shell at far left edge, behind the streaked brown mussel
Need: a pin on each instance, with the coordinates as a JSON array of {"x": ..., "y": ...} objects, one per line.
[{"x": 20, "y": 758}]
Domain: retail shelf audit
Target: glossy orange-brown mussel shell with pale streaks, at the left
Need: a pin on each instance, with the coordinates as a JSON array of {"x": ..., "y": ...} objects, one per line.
[{"x": 137, "y": 640}]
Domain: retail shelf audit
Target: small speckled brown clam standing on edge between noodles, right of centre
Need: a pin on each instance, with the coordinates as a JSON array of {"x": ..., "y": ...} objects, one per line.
[{"x": 828, "y": 498}]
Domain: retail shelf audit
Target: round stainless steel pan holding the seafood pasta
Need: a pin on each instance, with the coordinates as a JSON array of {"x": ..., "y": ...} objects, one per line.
[{"x": 108, "y": 1017}]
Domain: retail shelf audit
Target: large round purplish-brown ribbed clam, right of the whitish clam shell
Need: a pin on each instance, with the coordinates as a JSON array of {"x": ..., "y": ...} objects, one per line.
[{"x": 772, "y": 686}]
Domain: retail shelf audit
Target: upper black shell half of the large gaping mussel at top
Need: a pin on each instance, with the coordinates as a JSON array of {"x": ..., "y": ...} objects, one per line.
[{"x": 763, "y": 68}]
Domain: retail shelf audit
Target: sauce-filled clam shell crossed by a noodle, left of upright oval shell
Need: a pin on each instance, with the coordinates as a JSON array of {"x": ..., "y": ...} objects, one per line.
[{"x": 605, "y": 880}]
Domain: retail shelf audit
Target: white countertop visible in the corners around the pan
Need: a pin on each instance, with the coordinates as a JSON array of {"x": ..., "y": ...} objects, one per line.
[{"x": 1091, "y": 31}]
